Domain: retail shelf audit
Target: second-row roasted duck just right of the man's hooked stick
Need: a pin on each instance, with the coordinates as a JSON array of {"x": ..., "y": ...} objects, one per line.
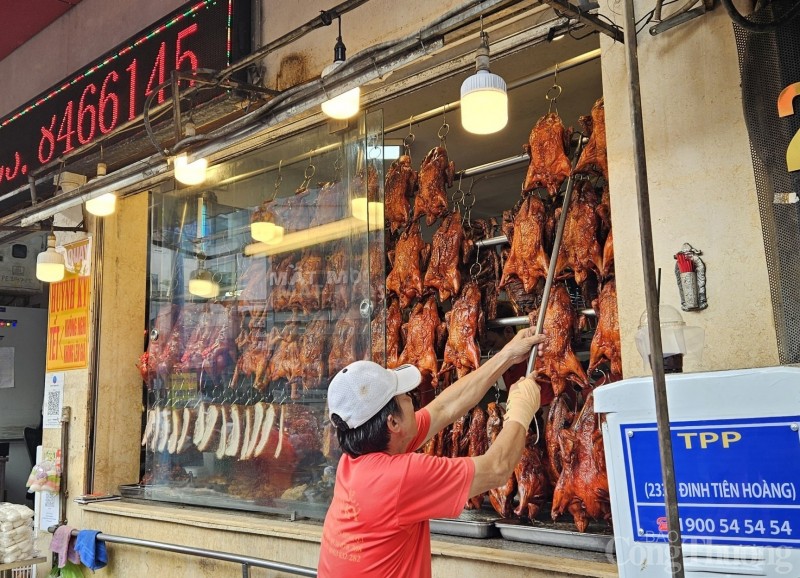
[{"x": 580, "y": 249}]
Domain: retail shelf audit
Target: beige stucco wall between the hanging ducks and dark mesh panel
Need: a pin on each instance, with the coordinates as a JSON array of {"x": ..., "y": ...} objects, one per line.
[{"x": 702, "y": 189}]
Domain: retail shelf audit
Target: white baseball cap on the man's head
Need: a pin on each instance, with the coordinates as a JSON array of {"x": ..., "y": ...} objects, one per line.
[{"x": 360, "y": 390}]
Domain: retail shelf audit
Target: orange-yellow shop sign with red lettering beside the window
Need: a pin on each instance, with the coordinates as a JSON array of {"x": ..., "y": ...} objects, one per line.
[{"x": 68, "y": 311}]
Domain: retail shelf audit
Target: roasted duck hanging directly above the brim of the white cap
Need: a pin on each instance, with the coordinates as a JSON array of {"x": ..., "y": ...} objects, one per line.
[{"x": 421, "y": 335}]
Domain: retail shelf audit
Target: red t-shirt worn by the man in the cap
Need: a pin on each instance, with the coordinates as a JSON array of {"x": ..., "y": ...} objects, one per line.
[{"x": 377, "y": 525}]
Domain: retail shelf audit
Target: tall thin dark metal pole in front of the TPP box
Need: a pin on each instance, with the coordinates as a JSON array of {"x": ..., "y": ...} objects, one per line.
[{"x": 654, "y": 322}]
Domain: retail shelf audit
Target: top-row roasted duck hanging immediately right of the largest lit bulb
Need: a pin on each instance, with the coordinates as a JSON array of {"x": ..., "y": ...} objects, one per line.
[{"x": 549, "y": 165}]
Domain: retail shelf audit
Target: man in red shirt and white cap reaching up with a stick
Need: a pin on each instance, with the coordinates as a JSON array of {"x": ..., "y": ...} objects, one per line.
[{"x": 378, "y": 522}]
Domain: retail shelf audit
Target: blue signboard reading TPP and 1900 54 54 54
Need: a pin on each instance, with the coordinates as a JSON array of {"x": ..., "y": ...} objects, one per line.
[{"x": 737, "y": 481}]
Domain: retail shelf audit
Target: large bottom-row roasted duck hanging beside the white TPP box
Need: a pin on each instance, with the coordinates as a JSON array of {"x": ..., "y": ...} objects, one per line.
[{"x": 582, "y": 488}]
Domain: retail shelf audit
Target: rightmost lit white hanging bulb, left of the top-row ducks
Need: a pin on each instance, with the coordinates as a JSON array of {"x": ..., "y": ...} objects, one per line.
[{"x": 484, "y": 100}]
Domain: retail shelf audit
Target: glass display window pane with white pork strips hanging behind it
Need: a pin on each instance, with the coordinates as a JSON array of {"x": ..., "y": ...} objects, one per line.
[{"x": 264, "y": 282}]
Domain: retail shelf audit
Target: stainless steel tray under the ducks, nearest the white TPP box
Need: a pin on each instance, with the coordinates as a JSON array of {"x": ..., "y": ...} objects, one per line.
[{"x": 541, "y": 533}]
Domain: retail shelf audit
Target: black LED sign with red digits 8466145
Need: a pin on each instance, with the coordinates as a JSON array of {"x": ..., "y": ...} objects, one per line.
[{"x": 112, "y": 90}]
